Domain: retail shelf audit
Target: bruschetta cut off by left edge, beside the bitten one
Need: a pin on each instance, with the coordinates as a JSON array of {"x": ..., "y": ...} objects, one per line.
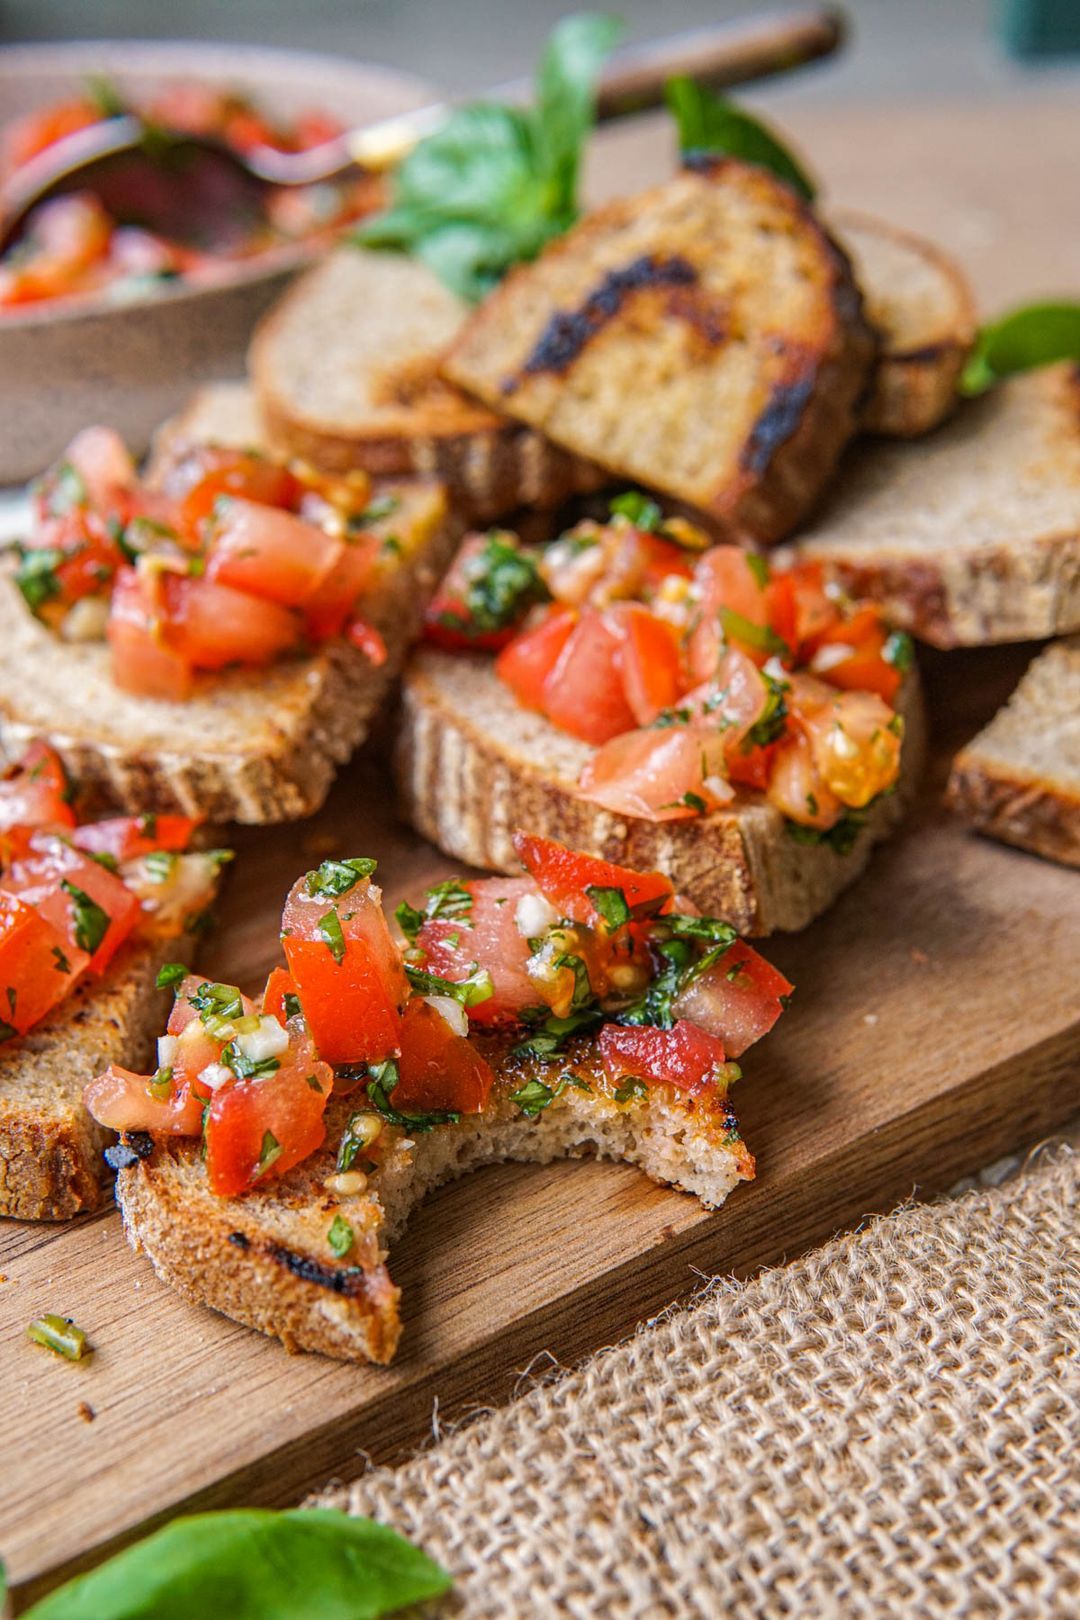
[{"x": 88, "y": 913}]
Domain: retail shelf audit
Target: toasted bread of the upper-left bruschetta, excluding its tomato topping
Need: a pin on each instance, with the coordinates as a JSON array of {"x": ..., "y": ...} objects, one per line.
[{"x": 250, "y": 744}]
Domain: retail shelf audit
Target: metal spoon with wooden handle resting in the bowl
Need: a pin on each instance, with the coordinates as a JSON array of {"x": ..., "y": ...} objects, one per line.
[{"x": 185, "y": 184}]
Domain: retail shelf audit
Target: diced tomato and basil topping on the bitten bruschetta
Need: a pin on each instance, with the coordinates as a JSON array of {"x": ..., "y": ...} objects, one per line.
[{"x": 580, "y": 976}]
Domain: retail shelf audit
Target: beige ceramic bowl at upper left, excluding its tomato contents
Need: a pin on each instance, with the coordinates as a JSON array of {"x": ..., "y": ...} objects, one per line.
[{"x": 130, "y": 365}]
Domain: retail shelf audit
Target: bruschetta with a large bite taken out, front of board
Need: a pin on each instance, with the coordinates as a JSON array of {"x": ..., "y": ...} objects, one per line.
[{"x": 279, "y": 1148}]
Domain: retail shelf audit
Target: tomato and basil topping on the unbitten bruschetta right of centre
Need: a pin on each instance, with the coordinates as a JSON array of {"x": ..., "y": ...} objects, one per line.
[{"x": 694, "y": 673}]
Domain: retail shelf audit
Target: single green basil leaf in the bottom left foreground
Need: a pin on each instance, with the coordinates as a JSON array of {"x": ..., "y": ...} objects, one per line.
[{"x": 255, "y": 1566}]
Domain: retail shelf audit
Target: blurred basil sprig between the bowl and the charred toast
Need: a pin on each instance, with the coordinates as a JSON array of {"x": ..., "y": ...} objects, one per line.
[{"x": 496, "y": 184}]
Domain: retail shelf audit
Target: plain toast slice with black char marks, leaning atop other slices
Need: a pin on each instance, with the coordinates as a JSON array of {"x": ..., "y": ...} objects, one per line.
[{"x": 705, "y": 339}]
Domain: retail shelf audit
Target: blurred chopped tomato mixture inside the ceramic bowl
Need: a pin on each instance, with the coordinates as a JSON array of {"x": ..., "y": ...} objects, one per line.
[{"x": 77, "y": 245}]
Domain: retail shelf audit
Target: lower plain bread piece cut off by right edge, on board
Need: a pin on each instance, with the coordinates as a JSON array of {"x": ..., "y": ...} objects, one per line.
[{"x": 1021, "y": 778}]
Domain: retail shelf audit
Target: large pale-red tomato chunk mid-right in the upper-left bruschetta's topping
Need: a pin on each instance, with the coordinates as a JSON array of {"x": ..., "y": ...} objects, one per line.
[{"x": 270, "y": 553}]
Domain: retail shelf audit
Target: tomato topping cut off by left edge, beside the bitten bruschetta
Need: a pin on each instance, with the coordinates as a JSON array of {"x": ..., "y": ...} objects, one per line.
[{"x": 74, "y": 893}]
